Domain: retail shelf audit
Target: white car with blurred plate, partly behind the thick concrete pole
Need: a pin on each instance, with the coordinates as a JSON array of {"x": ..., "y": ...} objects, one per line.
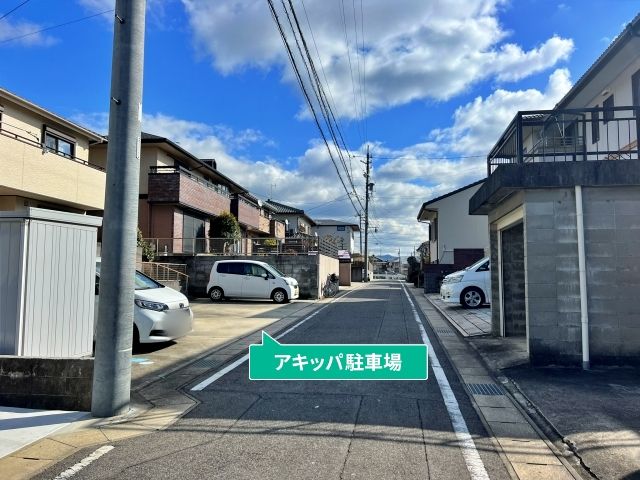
[{"x": 160, "y": 313}]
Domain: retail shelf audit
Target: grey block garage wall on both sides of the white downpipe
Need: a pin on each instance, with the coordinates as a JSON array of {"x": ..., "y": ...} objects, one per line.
[{"x": 612, "y": 249}]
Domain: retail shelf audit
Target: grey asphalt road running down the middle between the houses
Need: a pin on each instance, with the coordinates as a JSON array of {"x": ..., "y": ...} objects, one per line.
[{"x": 315, "y": 430}]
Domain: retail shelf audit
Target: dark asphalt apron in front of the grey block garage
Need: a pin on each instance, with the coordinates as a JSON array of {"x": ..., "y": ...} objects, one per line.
[{"x": 593, "y": 413}]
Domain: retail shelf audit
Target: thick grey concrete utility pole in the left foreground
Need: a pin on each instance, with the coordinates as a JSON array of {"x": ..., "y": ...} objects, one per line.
[{"x": 112, "y": 368}]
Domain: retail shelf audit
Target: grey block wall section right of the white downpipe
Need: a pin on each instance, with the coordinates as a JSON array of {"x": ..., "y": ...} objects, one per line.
[{"x": 612, "y": 237}]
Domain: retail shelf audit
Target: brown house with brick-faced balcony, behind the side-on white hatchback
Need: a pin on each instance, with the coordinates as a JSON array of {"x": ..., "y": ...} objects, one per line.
[{"x": 180, "y": 194}]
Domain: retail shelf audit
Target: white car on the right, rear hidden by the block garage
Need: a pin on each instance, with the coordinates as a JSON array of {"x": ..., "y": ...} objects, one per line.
[{"x": 470, "y": 287}]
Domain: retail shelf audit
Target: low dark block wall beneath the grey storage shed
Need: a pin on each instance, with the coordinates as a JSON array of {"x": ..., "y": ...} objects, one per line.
[{"x": 46, "y": 383}]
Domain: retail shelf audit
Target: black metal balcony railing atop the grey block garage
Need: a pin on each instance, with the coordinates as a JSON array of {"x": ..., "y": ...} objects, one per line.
[{"x": 568, "y": 135}]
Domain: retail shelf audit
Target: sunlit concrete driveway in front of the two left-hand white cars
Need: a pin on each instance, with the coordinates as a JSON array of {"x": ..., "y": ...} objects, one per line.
[{"x": 215, "y": 325}]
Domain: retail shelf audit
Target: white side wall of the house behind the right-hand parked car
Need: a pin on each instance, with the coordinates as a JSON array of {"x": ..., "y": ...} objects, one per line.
[{"x": 458, "y": 229}]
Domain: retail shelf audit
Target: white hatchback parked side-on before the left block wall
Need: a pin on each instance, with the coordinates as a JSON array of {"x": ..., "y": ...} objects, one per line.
[{"x": 250, "y": 279}]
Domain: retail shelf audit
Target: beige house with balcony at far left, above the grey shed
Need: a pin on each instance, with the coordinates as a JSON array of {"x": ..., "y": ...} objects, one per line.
[{"x": 46, "y": 160}]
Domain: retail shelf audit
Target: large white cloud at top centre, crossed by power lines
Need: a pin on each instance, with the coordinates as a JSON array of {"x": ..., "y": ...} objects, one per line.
[{"x": 423, "y": 50}]
